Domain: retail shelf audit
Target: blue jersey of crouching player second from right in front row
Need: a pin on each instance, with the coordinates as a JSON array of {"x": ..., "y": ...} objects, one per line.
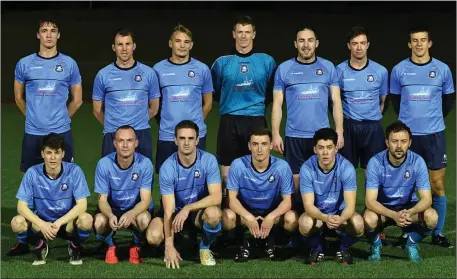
[{"x": 328, "y": 188}]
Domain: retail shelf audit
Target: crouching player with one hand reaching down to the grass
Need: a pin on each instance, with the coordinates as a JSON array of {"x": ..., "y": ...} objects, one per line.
[{"x": 190, "y": 185}]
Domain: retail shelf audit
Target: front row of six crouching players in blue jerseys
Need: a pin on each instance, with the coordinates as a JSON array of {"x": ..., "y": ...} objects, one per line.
[{"x": 52, "y": 198}]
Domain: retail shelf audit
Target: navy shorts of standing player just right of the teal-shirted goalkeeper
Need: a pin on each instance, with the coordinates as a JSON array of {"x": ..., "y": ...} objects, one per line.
[{"x": 297, "y": 151}]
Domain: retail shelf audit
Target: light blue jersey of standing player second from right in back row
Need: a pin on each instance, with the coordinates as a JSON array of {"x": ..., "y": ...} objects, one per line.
[{"x": 361, "y": 89}]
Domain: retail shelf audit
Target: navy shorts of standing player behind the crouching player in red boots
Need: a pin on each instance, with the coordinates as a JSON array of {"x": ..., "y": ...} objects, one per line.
[{"x": 144, "y": 143}]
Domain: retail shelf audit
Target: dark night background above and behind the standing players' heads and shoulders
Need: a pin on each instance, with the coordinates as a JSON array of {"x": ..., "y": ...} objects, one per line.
[{"x": 87, "y": 30}]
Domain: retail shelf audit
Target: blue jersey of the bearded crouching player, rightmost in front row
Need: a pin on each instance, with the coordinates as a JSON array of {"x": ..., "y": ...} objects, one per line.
[{"x": 397, "y": 185}]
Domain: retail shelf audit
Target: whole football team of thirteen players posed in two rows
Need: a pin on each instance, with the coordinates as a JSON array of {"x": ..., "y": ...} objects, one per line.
[{"x": 242, "y": 196}]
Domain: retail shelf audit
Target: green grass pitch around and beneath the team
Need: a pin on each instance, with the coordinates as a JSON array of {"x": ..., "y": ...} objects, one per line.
[{"x": 87, "y": 132}]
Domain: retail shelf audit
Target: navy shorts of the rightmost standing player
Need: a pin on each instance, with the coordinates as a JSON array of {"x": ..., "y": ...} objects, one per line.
[{"x": 432, "y": 148}]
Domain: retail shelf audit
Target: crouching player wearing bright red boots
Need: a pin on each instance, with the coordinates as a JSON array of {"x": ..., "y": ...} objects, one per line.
[{"x": 123, "y": 180}]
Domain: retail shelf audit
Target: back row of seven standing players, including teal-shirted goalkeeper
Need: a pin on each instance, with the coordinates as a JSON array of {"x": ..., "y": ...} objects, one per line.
[{"x": 128, "y": 92}]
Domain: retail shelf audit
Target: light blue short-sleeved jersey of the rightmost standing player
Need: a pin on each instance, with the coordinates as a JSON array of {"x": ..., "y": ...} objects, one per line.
[{"x": 421, "y": 87}]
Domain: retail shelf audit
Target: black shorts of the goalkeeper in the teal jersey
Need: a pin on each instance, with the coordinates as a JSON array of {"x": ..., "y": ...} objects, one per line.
[{"x": 233, "y": 136}]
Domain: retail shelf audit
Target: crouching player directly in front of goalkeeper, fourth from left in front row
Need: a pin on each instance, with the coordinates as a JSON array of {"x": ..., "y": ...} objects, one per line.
[{"x": 259, "y": 192}]
